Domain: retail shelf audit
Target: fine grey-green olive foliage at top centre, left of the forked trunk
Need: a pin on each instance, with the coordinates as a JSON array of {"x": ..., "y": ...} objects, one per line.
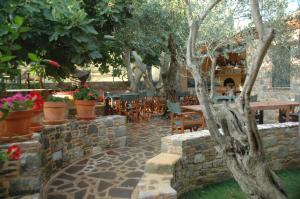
[{"x": 150, "y": 26}]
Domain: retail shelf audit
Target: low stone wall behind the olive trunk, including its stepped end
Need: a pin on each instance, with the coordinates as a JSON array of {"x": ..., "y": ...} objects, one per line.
[{"x": 198, "y": 163}]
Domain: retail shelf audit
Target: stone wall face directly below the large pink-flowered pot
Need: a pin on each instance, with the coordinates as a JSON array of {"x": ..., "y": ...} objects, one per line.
[{"x": 22, "y": 176}]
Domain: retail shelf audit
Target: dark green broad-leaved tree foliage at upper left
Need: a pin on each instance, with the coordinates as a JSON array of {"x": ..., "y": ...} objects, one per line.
[{"x": 71, "y": 32}]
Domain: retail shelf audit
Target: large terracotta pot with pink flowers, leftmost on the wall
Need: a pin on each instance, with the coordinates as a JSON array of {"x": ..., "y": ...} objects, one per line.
[{"x": 17, "y": 113}]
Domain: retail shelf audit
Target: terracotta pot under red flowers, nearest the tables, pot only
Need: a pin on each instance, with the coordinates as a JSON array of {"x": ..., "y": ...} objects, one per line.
[{"x": 85, "y": 109}]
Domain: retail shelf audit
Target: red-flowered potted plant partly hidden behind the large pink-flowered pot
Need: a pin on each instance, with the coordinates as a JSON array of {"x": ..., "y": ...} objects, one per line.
[{"x": 38, "y": 102}]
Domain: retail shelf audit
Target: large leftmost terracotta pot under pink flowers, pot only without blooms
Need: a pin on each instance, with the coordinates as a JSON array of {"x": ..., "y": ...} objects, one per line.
[{"x": 17, "y": 123}]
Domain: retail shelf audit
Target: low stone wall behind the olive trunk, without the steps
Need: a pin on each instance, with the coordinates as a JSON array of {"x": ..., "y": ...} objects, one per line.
[{"x": 200, "y": 164}]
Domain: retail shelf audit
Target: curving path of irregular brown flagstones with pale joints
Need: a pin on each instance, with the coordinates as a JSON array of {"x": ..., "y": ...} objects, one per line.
[{"x": 113, "y": 173}]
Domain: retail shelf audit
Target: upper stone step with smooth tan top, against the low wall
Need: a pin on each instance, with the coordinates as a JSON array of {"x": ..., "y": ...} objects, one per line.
[{"x": 164, "y": 163}]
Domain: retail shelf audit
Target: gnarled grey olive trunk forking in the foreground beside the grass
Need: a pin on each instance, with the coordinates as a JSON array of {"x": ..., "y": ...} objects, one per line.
[{"x": 240, "y": 143}]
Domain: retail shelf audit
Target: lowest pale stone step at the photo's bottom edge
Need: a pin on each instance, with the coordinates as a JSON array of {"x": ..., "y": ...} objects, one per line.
[{"x": 153, "y": 186}]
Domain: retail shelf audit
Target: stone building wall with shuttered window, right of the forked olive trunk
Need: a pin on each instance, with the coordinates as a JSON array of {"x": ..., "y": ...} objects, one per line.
[{"x": 279, "y": 76}]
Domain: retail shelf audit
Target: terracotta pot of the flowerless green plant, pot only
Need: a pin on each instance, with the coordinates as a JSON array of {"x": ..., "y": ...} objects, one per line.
[{"x": 55, "y": 112}]
